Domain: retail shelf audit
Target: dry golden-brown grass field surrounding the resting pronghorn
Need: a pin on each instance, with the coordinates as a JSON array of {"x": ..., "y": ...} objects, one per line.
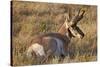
[{"x": 30, "y": 18}]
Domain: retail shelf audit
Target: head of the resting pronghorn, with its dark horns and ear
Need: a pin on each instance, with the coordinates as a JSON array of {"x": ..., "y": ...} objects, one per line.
[{"x": 71, "y": 25}]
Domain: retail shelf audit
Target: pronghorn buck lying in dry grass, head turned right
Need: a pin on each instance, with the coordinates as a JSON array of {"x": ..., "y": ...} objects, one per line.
[{"x": 56, "y": 44}]
